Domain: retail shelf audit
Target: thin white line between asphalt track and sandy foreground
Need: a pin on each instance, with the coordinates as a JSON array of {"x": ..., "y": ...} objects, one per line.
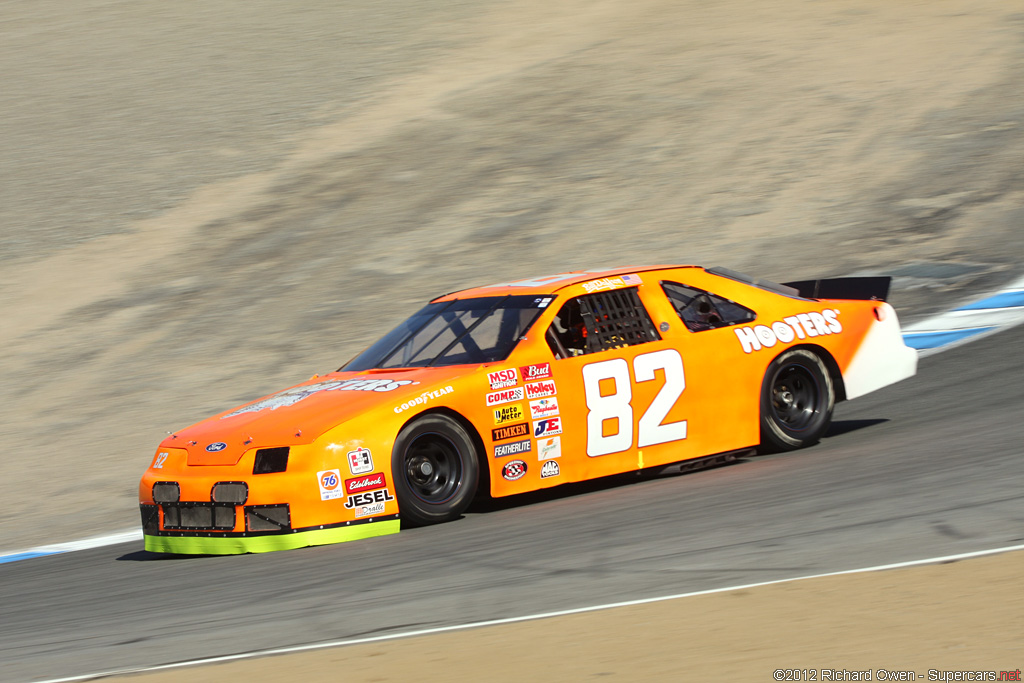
[{"x": 517, "y": 620}]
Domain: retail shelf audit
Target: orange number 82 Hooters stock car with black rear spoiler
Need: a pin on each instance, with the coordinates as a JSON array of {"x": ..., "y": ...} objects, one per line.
[{"x": 521, "y": 387}]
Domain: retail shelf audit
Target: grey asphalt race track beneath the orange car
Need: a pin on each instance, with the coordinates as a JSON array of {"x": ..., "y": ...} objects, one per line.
[{"x": 929, "y": 467}]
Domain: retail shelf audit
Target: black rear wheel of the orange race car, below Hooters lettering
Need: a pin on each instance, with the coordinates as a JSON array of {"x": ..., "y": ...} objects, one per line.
[{"x": 797, "y": 402}]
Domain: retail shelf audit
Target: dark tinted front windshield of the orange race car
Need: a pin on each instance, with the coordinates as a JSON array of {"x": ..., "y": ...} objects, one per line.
[{"x": 452, "y": 333}]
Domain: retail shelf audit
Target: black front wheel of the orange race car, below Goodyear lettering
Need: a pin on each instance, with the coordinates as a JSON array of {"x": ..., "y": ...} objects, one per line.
[{"x": 436, "y": 471}]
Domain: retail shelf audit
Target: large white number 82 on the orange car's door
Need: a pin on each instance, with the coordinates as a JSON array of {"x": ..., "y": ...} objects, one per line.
[{"x": 617, "y": 406}]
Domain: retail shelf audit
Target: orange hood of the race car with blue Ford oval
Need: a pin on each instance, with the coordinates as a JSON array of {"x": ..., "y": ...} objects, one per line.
[{"x": 303, "y": 413}]
